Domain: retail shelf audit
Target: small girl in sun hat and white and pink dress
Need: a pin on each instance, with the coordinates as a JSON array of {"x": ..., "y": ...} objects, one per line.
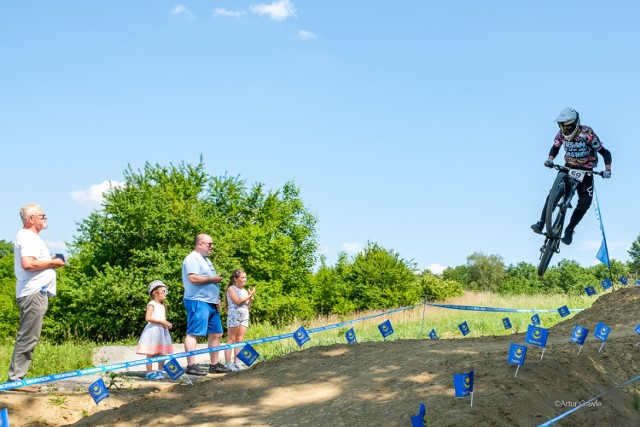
[{"x": 155, "y": 339}]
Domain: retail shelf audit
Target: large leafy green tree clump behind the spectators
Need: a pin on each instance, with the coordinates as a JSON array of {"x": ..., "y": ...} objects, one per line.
[{"x": 146, "y": 228}]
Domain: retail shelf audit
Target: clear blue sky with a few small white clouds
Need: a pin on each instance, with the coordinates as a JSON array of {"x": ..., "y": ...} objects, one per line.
[{"x": 418, "y": 125}]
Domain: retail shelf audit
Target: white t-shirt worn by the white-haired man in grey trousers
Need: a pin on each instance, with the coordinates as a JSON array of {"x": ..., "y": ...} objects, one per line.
[{"x": 30, "y": 282}]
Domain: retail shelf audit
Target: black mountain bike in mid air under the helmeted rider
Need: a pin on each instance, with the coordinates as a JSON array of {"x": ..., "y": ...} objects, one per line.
[{"x": 562, "y": 191}]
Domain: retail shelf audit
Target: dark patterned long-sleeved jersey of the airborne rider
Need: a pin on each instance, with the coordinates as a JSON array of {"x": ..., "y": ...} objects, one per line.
[{"x": 582, "y": 152}]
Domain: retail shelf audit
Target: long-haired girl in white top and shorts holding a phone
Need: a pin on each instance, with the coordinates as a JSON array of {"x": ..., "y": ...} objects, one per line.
[{"x": 239, "y": 301}]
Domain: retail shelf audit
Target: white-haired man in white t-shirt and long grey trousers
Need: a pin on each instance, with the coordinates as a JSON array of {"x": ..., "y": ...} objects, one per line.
[{"x": 36, "y": 282}]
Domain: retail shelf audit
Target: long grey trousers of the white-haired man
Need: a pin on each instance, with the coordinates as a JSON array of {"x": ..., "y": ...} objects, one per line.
[{"x": 32, "y": 311}]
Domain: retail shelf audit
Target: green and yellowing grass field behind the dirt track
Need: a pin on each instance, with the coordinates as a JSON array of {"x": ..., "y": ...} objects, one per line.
[{"x": 407, "y": 324}]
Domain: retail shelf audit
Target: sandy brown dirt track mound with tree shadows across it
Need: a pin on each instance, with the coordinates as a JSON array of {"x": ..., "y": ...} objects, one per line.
[{"x": 382, "y": 384}]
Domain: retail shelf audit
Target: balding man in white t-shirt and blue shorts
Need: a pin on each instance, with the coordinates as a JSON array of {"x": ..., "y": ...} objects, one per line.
[{"x": 202, "y": 302}]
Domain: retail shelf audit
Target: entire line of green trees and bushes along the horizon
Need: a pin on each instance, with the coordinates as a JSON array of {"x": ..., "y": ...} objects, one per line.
[{"x": 146, "y": 227}]
